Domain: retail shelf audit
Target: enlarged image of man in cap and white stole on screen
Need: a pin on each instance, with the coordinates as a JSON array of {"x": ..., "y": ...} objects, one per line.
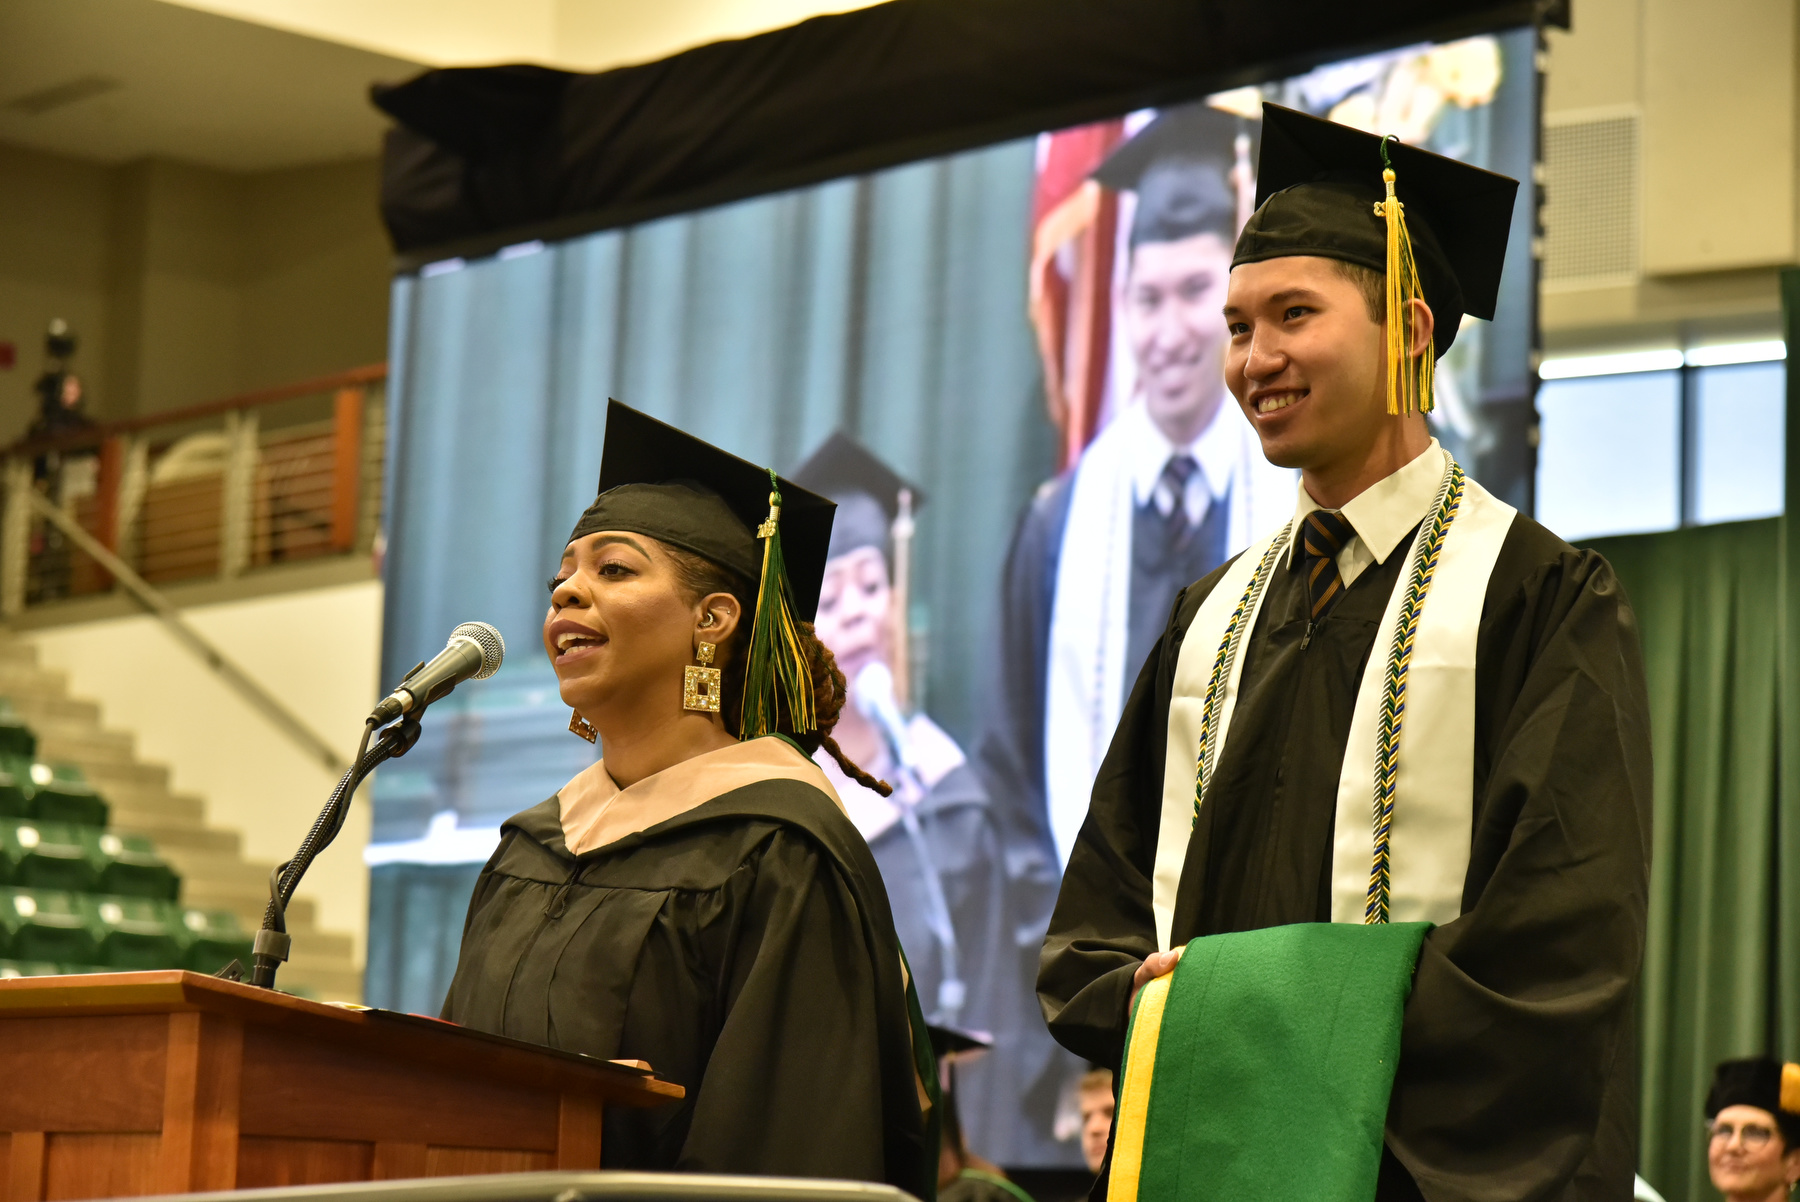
[{"x": 1165, "y": 492}]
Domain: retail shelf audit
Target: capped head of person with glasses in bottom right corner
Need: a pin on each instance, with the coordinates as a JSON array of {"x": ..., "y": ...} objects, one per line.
[{"x": 1754, "y": 1129}]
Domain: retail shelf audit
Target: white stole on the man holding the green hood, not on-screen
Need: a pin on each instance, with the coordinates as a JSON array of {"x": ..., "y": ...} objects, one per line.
[{"x": 1435, "y": 784}]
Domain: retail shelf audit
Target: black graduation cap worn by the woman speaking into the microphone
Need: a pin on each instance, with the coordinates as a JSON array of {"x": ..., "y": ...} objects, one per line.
[{"x": 669, "y": 485}]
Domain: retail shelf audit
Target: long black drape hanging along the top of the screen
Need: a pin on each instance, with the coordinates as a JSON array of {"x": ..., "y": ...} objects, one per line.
[{"x": 498, "y": 154}]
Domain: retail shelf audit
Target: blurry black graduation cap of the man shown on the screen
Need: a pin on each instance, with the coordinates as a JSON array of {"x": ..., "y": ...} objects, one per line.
[{"x": 1180, "y": 166}]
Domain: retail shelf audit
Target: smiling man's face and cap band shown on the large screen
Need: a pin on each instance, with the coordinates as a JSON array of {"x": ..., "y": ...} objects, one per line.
[{"x": 1182, "y": 238}]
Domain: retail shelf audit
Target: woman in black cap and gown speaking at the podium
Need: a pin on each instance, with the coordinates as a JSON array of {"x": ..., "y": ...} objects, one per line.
[{"x": 699, "y": 899}]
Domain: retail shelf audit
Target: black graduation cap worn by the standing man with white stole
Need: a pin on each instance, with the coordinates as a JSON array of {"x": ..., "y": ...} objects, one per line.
[{"x": 1317, "y": 192}]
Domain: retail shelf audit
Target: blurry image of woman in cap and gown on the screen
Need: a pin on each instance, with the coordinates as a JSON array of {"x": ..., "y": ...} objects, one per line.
[{"x": 949, "y": 877}]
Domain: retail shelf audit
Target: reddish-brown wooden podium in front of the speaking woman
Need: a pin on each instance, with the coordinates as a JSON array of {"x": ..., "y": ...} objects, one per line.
[{"x": 172, "y": 1082}]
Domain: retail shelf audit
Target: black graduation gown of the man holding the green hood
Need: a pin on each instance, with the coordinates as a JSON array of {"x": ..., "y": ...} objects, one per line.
[{"x": 1516, "y": 1061}]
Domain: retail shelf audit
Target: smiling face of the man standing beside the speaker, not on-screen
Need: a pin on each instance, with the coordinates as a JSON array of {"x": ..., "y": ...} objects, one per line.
[{"x": 1306, "y": 361}]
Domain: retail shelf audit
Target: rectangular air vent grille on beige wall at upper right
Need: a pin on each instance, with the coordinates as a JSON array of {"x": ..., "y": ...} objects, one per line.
[{"x": 1590, "y": 201}]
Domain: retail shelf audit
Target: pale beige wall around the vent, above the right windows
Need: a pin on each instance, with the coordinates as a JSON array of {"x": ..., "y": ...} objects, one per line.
[{"x": 1716, "y": 93}]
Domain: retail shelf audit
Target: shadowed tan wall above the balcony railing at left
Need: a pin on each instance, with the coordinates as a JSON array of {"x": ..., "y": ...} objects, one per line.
[{"x": 186, "y": 283}]
